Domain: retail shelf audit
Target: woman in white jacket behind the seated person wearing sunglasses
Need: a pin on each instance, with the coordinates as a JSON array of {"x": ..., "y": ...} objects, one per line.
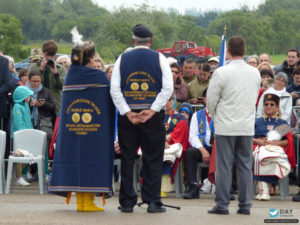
[{"x": 286, "y": 101}]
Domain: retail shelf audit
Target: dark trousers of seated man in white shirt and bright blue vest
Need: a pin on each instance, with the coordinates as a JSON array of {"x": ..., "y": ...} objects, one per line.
[{"x": 193, "y": 156}]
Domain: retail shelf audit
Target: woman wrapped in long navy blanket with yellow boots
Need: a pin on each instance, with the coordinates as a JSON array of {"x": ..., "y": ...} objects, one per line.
[{"x": 83, "y": 159}]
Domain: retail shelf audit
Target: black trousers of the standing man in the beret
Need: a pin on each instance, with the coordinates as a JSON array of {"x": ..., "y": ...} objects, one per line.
[{"x": 150, "y": 136}]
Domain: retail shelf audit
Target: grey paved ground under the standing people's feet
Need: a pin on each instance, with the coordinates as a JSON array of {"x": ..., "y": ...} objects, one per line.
[{"x": 27, "y": 206}]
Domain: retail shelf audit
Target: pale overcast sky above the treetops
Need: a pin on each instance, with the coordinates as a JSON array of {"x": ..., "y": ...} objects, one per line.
[{"x": 181, "y": 5}]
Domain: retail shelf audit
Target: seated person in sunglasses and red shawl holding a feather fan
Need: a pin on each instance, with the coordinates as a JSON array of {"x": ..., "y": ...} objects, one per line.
[{"x": 273, "y": 146}]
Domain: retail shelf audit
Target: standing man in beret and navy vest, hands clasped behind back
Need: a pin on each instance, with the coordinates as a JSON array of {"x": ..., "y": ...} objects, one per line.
[{"x": 141, "y": 85}]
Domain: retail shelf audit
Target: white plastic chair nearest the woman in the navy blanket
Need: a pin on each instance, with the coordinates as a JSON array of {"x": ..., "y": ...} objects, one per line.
[{"x": 34, "y": 141}]
